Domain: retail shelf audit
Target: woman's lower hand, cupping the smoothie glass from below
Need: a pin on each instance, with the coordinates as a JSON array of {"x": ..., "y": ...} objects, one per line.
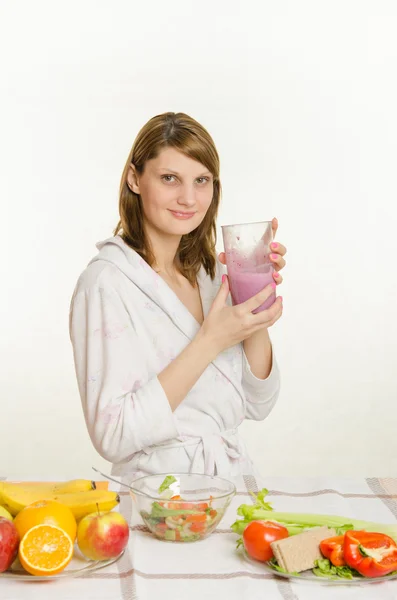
[{"x": 226, "y": 326}]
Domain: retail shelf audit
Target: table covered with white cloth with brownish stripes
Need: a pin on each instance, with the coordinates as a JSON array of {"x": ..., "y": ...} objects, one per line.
[{"x": 212, "y": 568}]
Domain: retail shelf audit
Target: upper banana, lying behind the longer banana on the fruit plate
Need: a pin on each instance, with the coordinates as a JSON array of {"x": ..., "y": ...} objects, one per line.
[{"x": 15, "y": 496}]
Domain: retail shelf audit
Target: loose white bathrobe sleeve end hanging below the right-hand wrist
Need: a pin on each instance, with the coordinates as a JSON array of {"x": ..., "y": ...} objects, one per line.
[{"x": 261, "y": 394}]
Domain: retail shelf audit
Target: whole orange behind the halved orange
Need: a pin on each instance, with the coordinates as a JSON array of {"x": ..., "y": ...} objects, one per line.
[{"x": 47, "y": 512}]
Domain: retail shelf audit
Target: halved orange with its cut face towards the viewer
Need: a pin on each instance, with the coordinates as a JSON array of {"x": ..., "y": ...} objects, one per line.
[{"x": 45, "y": 550}]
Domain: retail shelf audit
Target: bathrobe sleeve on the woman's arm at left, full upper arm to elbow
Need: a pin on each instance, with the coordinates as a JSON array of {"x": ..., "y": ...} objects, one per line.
[{"x": 125, "y": 408}]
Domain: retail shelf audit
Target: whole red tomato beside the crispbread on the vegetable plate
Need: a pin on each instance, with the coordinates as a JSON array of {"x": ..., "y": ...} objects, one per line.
[{"x": 258, "y": 536}]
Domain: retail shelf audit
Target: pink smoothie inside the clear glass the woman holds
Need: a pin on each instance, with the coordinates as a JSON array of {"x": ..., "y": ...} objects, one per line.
[{"x": 245, "y": 284}]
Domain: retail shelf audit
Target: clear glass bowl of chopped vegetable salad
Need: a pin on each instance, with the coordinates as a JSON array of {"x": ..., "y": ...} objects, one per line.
[{"x": 181, "y": 507}]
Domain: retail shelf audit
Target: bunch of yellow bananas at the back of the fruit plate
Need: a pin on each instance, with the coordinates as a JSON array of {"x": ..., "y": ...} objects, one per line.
[{"x": 80, "y": 495}]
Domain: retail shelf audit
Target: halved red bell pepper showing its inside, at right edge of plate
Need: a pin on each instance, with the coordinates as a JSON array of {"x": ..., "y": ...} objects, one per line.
[{"x": 371, "y": 554}]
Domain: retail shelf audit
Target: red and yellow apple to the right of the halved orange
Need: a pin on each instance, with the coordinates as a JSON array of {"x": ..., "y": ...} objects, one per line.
[{"x": 102, "y": 535}]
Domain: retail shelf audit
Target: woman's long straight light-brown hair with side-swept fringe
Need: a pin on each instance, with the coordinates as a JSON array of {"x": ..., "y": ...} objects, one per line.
[{"x": 179, "y": 131}]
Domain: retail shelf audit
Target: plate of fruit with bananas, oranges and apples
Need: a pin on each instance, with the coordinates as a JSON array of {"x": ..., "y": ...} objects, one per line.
[{"x": 60, "y": 529}]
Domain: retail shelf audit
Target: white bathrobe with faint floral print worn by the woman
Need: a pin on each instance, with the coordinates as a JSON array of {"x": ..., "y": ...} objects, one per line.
[{"x": 126, "y": 326}]
